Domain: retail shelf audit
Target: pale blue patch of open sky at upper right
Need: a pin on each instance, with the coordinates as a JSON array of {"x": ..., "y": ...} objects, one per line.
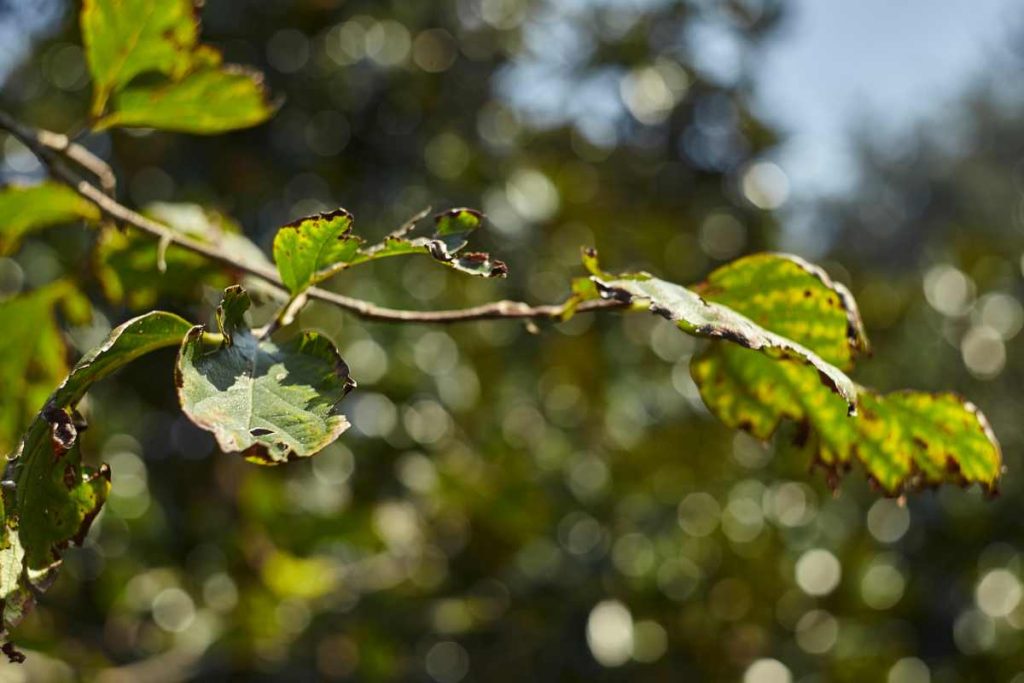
[{"x": 837, "y": 62}]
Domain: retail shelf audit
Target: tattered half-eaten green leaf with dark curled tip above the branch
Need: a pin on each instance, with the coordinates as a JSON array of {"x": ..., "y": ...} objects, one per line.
[{"x": 311, "y": 250}]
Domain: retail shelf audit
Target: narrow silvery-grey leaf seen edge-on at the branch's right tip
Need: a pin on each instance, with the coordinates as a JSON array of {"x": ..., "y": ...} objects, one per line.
[{"x": 702, "y": 318}]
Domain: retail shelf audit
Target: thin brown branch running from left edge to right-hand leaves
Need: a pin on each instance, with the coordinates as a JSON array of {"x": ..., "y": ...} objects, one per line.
[{"x": 54, "y": 149}]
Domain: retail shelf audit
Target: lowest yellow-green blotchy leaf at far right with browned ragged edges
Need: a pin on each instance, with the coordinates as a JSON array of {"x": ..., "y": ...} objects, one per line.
[{"x": 906, "y": 441}]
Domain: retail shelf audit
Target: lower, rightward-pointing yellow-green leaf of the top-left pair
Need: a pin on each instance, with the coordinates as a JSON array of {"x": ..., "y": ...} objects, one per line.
[{"x": 206, "y": 102}]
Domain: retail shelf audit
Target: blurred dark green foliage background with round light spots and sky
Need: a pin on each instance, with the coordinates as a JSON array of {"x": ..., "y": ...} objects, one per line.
[{"x": 560, "y": 505}]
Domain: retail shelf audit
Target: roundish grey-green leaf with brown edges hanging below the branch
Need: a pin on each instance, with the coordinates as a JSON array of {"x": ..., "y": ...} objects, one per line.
[{"x": 272, "y": 402}]
